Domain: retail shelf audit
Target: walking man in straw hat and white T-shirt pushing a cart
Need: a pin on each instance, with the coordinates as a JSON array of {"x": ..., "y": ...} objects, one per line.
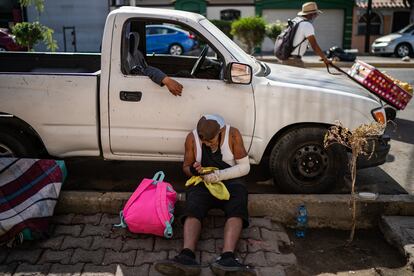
[{"x": 305, "y": 35}]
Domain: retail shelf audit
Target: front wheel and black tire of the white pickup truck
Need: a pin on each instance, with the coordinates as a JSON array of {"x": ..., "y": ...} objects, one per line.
[{"x": 299, "y": 163}]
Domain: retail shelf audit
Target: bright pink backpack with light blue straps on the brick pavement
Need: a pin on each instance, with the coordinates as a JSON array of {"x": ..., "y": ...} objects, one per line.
[{"x": 150, "y": 208}]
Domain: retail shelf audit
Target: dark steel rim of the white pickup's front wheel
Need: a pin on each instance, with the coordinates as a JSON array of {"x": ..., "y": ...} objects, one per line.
[{"x": 309, "y": 162}]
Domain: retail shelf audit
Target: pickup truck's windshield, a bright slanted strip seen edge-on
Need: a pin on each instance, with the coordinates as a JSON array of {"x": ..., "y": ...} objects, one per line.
[{"x": 229, "y": 44}]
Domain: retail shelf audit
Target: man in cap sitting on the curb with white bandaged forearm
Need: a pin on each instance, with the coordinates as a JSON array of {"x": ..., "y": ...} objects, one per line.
[{"x": 213, "y": 144}]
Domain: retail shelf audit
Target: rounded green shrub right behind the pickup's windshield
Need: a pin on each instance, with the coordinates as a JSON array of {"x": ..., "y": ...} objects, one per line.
[{"x": 250, "y": 31}]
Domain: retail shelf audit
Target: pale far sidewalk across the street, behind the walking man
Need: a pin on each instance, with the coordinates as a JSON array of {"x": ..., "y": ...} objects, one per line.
[{"x": 379, "y": 62}]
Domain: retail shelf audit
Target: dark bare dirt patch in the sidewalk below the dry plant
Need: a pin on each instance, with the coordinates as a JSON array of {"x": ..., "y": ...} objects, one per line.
[{"x": 324, "y": 251}]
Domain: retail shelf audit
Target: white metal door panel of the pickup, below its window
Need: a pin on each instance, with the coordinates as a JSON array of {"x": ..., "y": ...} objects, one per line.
[{"x": 158, "y": 124}]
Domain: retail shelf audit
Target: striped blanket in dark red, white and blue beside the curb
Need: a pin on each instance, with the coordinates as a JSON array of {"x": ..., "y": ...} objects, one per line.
[{"x": 29, "y": 189}]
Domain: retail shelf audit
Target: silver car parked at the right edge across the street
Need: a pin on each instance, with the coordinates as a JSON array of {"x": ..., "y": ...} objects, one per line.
[{"x": 400, "y": 44}]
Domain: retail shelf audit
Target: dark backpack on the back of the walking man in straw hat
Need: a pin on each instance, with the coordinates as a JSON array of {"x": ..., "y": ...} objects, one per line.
[{"x": 284, "y": 42}]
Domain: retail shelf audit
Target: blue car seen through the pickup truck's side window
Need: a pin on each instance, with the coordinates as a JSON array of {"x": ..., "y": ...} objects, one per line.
[{"x": 163, "y": 39}]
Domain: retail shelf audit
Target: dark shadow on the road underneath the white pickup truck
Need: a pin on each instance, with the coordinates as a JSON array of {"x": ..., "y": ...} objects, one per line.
[{"x": 124, "y": 176}]
